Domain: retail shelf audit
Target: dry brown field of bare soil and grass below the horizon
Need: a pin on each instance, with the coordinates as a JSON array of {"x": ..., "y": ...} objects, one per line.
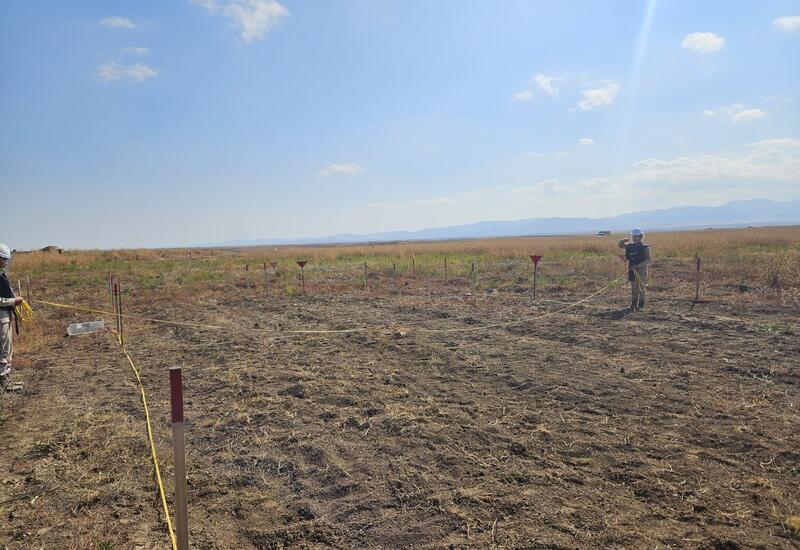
[{"x": 445, "y": 414}]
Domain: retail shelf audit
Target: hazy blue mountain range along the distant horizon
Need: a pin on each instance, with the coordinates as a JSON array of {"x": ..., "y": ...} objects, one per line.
[{"x": 758, "y": 212}]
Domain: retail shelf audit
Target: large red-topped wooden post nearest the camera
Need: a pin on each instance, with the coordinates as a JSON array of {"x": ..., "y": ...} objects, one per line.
[{"x": 179, "y": 447}]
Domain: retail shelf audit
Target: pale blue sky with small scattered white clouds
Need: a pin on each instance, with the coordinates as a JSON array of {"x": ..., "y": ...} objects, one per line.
[{"x": 139, "y": 124}]
